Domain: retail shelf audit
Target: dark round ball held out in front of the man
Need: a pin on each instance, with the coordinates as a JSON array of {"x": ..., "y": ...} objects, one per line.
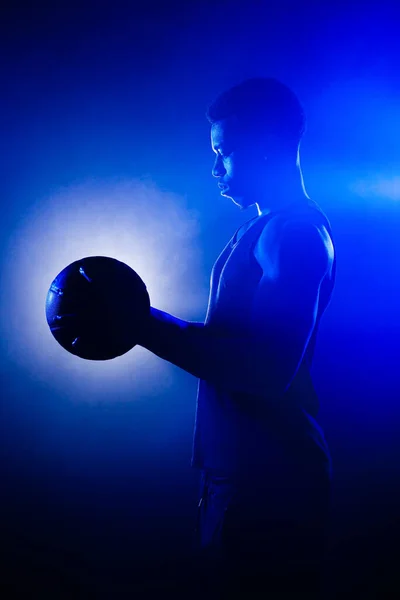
[{"x": 96, "y": 306}]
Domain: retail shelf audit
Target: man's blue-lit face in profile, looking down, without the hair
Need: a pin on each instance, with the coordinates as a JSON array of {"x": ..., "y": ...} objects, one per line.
[{"x": 239, "y": 165}]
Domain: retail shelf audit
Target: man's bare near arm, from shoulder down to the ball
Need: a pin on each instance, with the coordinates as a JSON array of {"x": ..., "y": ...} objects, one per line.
[{"x": 265, "y": 361}]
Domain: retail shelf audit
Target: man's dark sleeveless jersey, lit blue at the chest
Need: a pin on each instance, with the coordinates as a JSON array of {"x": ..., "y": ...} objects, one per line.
[{"x": 236, "y": 432}]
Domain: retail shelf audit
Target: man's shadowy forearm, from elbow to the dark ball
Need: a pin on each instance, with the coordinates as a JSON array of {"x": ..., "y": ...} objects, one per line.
[{"x": 234, "y": 363}]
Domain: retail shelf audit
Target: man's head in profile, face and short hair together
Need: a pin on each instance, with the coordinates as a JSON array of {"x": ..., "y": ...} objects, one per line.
[{"x": 256, "y": 129}]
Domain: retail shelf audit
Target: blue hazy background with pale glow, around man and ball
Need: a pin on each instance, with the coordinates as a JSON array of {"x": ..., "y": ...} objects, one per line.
[{"x": 106, "y": 101}]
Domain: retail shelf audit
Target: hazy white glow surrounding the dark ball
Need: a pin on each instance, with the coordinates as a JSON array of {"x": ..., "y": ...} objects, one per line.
[{"x": 132, "y": 221}]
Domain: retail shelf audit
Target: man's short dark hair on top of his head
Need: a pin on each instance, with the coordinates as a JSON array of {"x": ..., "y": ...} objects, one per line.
[{"x": 263, "y": 104}]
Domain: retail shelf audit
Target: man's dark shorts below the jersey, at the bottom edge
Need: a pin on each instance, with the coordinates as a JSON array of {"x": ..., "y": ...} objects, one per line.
[{"x": 260, "y": 539}]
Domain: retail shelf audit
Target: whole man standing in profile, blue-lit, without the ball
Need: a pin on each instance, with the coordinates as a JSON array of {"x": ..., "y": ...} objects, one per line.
[{"x": 263, "y": 458}]
